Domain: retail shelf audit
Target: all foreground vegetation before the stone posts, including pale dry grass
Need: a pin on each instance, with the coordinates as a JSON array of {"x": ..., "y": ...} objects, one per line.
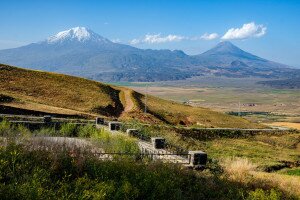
[{"x": 60, "y": 173}]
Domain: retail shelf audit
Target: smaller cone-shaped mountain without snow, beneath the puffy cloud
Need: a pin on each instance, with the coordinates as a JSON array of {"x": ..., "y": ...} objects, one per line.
[{"x": 229, "y": 60}]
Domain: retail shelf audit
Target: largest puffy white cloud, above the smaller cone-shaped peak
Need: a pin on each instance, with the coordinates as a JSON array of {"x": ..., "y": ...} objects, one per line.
[{"x": 246, "y": 31}]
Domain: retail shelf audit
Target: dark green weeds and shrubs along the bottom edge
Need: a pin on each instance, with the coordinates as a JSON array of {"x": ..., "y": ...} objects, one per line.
[{"x": 44, "y": 175}]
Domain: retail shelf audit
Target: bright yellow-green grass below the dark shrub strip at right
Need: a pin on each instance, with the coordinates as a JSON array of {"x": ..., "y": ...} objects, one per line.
[{"x": 265, "y": 151}]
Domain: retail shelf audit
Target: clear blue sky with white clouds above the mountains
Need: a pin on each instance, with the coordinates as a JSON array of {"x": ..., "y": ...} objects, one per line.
[{"x": 269, "y": 29}]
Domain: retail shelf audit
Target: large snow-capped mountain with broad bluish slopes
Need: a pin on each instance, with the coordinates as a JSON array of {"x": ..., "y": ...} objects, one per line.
[{"x": 80, "y": 51}]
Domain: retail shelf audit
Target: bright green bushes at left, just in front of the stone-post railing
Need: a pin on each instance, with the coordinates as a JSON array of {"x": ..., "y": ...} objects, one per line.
[{"x": 99, "y": 138}]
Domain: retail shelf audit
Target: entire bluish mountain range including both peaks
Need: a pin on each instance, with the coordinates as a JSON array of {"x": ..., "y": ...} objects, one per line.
[{"x": 80, "y": 51}]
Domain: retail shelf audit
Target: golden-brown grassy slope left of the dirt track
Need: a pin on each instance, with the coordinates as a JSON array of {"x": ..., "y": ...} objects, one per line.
[{"x": 55, "y": 89}]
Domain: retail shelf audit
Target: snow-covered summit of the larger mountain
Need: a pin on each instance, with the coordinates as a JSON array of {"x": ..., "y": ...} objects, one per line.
[{"x": 80, "y": 34}]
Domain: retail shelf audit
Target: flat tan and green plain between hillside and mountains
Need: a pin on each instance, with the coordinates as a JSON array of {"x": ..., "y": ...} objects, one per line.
[{"x": 261, "y": 103}]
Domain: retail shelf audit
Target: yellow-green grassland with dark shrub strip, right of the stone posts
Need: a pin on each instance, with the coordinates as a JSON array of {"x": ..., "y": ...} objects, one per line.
[{"x": 269, "y": 151}]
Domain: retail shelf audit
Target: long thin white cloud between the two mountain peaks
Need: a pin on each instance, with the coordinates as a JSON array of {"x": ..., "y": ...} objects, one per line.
[{"x": 157, "y": 38}]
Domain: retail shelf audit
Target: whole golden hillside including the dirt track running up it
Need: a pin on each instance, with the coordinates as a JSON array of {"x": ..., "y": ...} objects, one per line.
[{"x": 45, "y": 92}]
